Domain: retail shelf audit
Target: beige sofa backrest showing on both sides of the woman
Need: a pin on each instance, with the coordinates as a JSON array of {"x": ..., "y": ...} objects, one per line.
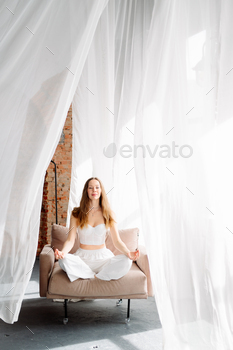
[{"x": 129, "y": 236}]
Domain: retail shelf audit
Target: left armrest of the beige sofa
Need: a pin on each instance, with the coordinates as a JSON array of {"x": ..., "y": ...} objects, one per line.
[{"x": 47, "y": 259}]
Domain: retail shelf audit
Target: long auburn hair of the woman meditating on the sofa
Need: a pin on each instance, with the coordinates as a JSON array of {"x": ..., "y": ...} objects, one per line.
[{"x": 82, "y": 211}]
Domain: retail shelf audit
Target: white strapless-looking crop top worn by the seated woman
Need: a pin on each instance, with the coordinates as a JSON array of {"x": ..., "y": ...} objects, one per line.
[{"x": 92, "y": 235}]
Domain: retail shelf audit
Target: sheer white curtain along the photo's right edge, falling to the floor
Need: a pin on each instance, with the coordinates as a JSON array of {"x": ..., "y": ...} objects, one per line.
[{"x": 185, "y": 193}]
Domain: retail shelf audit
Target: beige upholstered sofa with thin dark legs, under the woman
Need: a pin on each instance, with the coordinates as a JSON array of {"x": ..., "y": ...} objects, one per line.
[{"x": 55, "y": 284}]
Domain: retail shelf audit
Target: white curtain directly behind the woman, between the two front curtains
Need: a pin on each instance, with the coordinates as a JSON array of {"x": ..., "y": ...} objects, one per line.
[{"x": 104, "y": 108}]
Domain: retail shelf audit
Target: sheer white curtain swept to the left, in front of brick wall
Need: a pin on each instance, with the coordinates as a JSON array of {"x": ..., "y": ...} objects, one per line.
[{"x": 42, "y": 52}]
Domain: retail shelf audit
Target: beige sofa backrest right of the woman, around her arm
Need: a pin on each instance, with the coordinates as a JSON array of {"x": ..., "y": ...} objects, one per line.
[{"x": 129, "y": 236}]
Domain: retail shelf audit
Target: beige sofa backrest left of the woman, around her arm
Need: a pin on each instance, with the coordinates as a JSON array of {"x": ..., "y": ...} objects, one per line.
[{"x": 59, "y": 236}]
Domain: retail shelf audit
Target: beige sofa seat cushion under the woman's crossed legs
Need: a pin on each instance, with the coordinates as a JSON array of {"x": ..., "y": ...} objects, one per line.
[{"x": 133, "y": 283}]
